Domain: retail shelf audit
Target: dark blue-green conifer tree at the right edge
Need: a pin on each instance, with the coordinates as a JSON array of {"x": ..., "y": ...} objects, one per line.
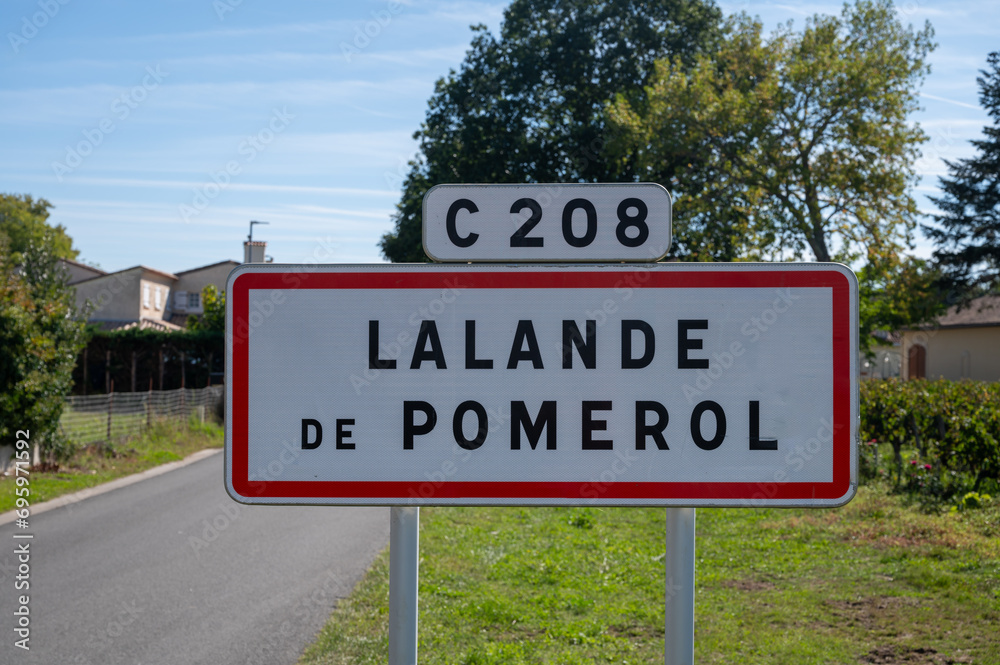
[{"x": 968, "y": 231}]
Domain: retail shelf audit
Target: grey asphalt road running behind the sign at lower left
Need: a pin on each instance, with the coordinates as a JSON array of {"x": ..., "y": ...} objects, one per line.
[{"x": 171, "y": 570}]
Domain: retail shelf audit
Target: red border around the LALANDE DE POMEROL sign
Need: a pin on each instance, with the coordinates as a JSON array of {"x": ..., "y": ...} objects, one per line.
[{"x": 840, "y": 488}]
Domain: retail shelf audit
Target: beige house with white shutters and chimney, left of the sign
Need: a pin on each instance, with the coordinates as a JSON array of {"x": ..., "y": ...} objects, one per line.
[{"x": 146, "y": 297}]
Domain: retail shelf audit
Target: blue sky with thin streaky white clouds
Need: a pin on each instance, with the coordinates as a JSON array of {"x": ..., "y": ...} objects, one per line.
[{"x": 159, "y": 130}]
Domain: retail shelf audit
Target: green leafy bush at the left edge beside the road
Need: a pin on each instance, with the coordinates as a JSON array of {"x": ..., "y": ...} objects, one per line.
[{"x": 40, "y": 336}]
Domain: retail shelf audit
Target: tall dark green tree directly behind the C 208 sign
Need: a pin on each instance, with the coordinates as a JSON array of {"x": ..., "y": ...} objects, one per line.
[{"x": 528, "y": 106}]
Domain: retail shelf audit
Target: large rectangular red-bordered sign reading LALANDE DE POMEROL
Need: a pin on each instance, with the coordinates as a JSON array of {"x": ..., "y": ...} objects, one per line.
[{"x": 666, "y": 384}]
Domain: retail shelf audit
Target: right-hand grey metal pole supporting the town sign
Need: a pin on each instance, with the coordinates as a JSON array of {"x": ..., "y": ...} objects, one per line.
[{"x": 679, "y": 612}]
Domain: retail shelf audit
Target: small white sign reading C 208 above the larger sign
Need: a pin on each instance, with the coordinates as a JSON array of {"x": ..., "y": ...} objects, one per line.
[{"x": 547, "y": 222}]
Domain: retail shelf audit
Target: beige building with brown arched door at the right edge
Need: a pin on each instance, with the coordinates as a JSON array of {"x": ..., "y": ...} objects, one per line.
[{"x": 962, "y": 344}]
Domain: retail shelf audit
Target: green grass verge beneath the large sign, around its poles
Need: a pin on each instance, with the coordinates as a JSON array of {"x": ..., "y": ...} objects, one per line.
[{"x": 873, "y": 582}]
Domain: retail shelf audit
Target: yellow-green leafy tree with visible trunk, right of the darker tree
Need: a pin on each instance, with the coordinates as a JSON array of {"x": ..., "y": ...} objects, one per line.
[{"x": 793, "y": 145}]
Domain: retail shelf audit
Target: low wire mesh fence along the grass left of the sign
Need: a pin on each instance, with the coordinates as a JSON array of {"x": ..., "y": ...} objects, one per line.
[{"x": 111, "y": 417}]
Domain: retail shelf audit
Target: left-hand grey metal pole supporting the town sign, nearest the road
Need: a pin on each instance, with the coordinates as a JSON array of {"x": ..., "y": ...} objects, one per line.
[{"x": 404, "y": 568}]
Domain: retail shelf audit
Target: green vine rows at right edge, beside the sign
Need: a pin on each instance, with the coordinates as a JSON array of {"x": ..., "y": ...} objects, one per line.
[{"x": 953, "y": 428}]
